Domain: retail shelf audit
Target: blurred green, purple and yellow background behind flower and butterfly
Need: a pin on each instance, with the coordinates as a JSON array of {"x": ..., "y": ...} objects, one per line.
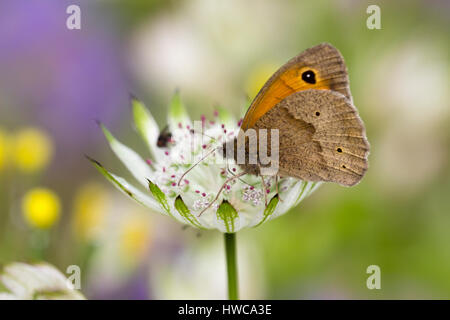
[{"x": 55, "y": 82}]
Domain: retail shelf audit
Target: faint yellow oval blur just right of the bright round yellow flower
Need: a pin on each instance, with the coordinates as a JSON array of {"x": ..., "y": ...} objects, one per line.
[{"x": 89, "y": 210}]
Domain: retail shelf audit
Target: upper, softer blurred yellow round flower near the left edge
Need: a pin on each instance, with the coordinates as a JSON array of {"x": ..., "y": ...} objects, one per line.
[{"x": 33, "y": 150}]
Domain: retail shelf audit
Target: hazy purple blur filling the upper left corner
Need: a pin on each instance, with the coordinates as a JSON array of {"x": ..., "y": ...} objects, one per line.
[{"x": 58, "y": 78}]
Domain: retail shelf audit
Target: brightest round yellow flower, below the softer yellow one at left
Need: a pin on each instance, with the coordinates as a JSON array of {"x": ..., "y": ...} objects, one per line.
[{"x": 41, "y": 208}]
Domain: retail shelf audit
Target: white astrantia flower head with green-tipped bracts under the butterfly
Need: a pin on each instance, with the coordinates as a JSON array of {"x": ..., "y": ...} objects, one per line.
[{"x": 241, "y": 204}]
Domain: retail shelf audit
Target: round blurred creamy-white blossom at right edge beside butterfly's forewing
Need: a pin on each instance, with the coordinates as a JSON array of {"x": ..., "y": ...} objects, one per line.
[{"x": 412, "y": 84}]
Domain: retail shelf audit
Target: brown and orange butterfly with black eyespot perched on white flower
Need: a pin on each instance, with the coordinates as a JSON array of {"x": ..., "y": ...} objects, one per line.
[{"x": 321, "y": 136}]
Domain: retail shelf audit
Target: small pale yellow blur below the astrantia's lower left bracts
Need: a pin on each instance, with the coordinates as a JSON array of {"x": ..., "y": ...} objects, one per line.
[{"x": 135, "y": 238}]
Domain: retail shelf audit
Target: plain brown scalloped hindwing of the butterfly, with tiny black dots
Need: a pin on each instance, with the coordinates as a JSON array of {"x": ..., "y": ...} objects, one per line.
[{"x": 321, "y": 137}]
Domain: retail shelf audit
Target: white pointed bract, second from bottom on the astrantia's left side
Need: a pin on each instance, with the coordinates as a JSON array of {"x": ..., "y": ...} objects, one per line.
[{"x": 132, "y": 161}]
